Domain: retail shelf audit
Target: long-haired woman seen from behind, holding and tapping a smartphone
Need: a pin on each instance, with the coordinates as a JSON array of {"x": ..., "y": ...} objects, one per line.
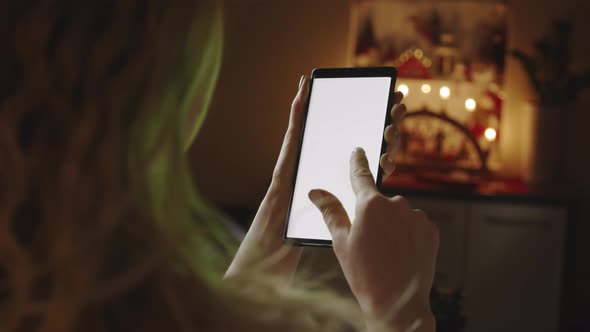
[{"x": 102, "y": 230}]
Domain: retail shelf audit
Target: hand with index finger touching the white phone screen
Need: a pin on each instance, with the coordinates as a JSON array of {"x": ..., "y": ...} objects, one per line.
[{"x": 387, "y": 254}]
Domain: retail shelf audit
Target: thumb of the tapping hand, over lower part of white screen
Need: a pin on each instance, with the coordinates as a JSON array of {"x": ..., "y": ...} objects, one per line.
[{"x": 334, "y": 215}]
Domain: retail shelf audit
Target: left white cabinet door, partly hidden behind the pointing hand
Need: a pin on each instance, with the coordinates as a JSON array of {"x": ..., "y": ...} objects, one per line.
[{"x": 450, "y": 217}]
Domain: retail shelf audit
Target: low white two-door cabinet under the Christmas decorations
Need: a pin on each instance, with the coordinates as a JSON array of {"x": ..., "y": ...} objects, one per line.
[{"x": 506, "y": 257}]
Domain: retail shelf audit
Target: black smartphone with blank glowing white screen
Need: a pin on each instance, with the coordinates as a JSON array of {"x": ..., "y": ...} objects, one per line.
[{"x": 346, "y": 108}]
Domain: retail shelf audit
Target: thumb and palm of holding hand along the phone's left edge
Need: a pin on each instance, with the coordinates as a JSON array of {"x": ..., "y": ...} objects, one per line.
[{"x": 264, "y": 239}]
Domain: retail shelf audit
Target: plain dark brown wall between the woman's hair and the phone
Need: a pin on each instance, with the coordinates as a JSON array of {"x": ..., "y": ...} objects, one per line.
[{"x": 269, "y": 45}]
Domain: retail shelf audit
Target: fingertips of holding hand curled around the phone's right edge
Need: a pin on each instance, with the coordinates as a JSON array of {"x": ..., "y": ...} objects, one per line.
[{"x": 391, "y": 135}]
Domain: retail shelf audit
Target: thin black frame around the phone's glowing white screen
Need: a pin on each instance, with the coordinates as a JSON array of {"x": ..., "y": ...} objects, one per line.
[{"x": 390, "y": 72}]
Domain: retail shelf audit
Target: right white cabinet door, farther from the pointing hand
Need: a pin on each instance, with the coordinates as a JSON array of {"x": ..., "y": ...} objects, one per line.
[{"x": 514, "y": 265}]
